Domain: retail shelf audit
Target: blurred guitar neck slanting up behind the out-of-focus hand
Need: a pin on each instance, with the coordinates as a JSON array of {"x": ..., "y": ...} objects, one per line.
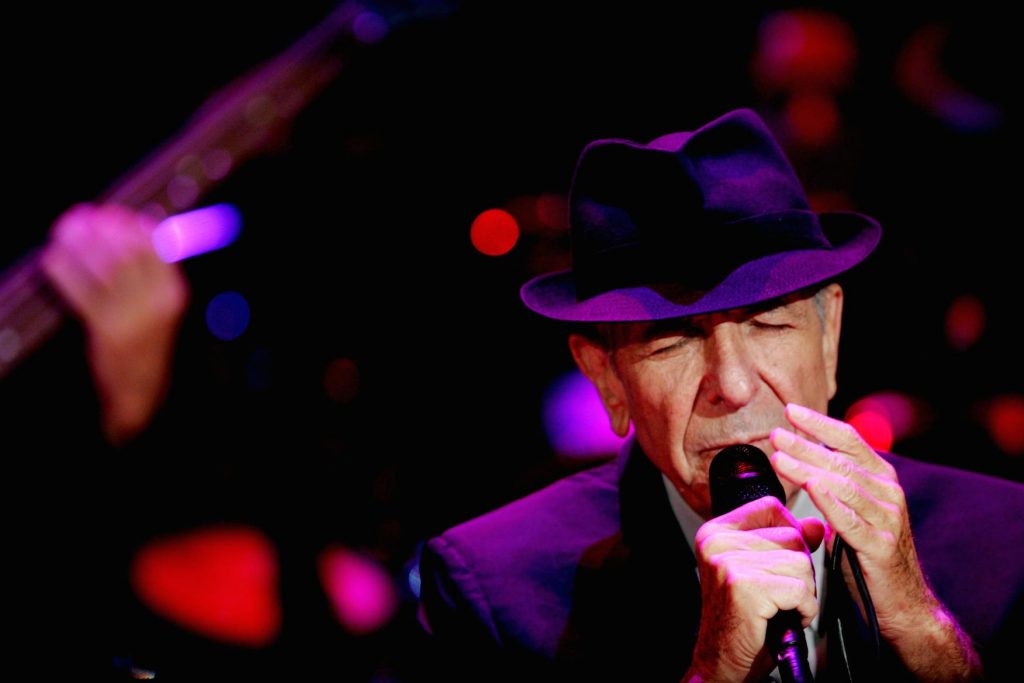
[{"x": 234, "y": 125}]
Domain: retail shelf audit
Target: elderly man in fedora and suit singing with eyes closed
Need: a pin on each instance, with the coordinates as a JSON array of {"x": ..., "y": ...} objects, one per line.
[{"x": 708, "y": 316}]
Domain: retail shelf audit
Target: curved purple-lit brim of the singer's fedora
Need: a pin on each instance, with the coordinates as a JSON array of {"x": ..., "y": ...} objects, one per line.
[{"x": 854, "y": 237}]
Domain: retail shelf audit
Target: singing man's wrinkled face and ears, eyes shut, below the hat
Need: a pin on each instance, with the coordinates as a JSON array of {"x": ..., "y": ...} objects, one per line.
[{"x": 693, "y": 387}]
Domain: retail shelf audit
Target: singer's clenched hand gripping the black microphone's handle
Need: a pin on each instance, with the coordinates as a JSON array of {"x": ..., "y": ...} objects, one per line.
[{"x": 754, "y": 562}]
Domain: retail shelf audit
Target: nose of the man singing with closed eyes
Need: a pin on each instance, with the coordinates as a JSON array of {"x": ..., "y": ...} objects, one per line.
[{"x": 731, "y": 379}]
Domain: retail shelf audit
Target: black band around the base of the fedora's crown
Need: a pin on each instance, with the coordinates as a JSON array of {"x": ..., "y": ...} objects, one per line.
[{"x": 636, "y": 264}]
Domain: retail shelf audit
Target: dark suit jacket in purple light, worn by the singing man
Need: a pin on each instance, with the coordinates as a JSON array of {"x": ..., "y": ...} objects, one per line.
[{"x": 592, "y": 578}]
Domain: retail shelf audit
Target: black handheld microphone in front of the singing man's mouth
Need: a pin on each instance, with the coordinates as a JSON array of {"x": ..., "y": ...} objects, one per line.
[{"x": 740, "y": 475}]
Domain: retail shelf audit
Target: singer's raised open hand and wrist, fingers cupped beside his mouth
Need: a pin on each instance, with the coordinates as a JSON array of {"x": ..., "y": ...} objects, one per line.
[{"x": 860, "y": 496}]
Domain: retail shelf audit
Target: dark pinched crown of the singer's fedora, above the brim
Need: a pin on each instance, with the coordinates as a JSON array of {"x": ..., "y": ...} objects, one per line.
[{"x": 711, "y": 193}]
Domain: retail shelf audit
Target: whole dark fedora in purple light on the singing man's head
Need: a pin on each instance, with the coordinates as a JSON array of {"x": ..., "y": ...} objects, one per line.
[{"x": 694, "y": 223}]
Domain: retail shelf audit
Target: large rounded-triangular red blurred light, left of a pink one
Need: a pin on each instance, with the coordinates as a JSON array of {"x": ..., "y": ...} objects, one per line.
[{"x": 220, "y": 582}]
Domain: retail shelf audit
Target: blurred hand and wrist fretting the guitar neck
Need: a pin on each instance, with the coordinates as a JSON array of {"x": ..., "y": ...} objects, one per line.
[{"x": 102, "y": 262}]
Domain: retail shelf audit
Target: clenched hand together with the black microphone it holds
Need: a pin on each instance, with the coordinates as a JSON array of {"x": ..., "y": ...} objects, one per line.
[{"x": 754, "y": 560}]
